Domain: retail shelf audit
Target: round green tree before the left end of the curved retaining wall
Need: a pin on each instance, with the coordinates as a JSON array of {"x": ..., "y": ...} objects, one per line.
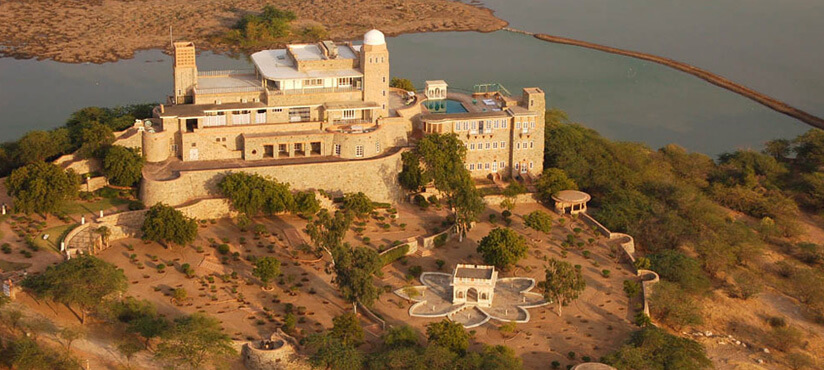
[{"x": 165, "y": 224}]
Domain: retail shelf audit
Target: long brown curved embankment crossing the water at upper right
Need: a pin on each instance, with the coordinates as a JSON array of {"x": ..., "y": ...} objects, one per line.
[{"x": 705, "y": 75}]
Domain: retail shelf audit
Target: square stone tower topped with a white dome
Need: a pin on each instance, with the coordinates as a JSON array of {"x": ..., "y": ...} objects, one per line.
[{"x": 375, "y": 66}]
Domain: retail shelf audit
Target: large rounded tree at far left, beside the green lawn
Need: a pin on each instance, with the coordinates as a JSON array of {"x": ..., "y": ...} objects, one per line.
[{"x": 41, "y": 187}]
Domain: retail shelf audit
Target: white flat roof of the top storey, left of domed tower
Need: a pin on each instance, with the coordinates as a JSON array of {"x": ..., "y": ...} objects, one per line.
[{"x": 275, "y": 64}]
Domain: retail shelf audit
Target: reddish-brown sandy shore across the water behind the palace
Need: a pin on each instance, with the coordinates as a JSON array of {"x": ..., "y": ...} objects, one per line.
[{"x": 98, "y": 31}]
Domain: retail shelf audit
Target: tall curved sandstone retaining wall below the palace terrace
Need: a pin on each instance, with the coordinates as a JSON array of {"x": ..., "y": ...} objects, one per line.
[{"x": 376, "y": 177}]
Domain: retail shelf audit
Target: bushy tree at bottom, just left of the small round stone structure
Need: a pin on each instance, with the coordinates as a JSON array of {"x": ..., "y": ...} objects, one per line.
[{"x": 194, "y": 340}]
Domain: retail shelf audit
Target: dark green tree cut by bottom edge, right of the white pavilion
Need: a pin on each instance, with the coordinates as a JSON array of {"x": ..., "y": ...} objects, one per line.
[{"x": 654, "y": 348}]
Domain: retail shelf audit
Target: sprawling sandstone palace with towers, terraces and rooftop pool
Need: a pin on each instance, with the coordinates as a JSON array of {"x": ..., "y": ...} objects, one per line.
[{"x": 323, "y": 116}]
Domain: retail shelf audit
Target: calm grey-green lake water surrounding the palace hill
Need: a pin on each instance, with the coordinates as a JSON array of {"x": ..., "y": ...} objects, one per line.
[{"x": 623, "y": 98}]
